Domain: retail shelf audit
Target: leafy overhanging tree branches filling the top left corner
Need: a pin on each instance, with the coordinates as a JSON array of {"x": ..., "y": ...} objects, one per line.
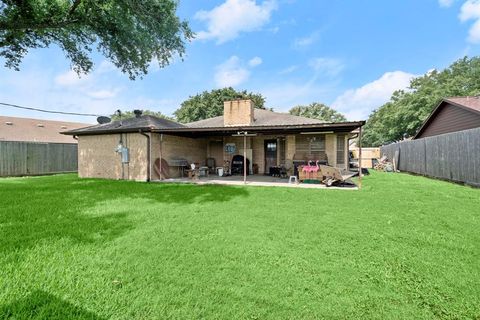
[{"x": 131, "y": 34}]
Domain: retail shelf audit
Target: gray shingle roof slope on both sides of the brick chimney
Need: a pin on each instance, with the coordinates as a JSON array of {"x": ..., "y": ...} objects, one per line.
[{"x": 261, "y": 118}]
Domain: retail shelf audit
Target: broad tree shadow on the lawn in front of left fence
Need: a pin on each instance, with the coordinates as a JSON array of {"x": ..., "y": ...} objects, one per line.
[{"x": 54, "y": 207}]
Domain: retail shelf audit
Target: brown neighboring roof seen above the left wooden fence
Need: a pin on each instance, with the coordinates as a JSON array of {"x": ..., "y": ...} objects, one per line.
[{"x": 36, "y": 130}]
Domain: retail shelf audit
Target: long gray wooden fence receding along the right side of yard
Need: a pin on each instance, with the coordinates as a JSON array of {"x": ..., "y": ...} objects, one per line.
[{"x": 452, "y": 156}]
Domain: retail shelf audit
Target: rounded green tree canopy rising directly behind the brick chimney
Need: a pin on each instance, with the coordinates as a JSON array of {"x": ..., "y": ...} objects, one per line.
[{"x": 210, "y": 104}]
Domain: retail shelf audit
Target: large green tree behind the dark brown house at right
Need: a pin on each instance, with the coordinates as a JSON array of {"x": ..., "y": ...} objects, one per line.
[{"x": 406, "y": 111}]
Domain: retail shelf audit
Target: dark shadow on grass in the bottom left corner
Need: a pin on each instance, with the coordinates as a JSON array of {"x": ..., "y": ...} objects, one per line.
[{"x": 40, "y": 305}]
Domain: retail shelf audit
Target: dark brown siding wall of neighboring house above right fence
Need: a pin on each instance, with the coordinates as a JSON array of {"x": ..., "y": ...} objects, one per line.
[{"x": 448, "y": 119}]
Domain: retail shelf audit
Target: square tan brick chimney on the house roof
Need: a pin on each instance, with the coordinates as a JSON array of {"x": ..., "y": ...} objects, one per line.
[{"x": 238, "y": 113}]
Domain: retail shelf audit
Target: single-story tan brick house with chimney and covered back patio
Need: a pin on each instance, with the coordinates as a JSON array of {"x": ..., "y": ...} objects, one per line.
[{"x": 142, "y": 147}]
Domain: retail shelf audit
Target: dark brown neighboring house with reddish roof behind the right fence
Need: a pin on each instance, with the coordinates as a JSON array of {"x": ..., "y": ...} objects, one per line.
[{"x": 451, "y": 115}]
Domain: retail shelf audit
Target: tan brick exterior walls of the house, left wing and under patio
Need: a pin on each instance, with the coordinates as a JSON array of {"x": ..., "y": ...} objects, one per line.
[{"x": 97, "y": 157}]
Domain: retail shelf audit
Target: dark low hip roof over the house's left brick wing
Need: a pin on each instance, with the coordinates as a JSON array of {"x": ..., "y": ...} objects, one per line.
[{"x": 146, "y": 122}]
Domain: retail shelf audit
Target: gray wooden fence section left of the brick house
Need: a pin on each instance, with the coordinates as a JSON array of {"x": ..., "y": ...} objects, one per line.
[{"x": 35, "y": 158}]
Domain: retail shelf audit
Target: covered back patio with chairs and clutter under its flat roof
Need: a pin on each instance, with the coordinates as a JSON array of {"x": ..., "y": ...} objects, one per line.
[{"x": 252, "y": 155}]
